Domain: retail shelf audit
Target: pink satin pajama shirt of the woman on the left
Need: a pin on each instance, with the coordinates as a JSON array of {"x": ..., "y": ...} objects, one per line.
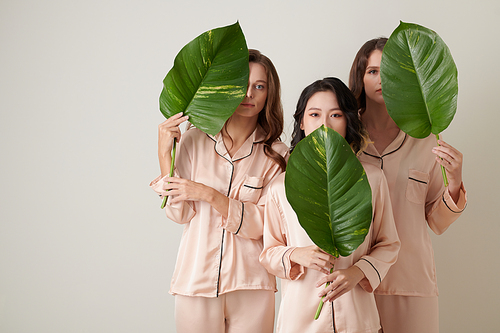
[{"x": 219, "y": 255}]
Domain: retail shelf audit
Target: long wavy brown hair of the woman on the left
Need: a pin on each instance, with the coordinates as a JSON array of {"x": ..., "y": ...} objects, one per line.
[{"x": 271, "y": 116}]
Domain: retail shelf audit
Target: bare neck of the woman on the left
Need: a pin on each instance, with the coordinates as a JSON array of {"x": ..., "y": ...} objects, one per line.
[{"x": 239, "y": 129}]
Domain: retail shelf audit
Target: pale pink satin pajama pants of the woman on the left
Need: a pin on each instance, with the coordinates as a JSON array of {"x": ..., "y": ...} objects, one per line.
[{"x": 241, "y": 311}]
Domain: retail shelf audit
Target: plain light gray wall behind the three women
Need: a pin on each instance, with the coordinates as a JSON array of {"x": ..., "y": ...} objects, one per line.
[{"x": 84, "y": 246}]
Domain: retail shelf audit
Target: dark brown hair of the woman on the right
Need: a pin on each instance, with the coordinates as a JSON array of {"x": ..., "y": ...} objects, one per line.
[{"x": 358, "y": 69}]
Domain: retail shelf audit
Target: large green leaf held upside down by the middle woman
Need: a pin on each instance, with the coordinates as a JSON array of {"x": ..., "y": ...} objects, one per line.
[{"x": 327, "y": 187}]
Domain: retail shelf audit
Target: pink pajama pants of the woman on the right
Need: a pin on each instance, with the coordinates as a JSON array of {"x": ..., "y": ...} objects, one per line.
[{"x": 408, "y": 314}]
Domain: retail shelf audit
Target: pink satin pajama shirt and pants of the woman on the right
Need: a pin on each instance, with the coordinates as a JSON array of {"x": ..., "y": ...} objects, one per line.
[{"x": 419, "y": 201}]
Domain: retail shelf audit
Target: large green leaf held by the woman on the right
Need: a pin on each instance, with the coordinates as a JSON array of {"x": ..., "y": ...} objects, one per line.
[{"x": 419, "y": 80}]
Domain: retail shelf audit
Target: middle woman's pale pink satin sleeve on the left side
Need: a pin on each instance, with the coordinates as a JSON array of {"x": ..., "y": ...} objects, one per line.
[{"x": 275, "y": 256}]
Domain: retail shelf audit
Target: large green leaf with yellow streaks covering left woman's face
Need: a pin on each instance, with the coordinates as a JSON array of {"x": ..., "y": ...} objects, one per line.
[{"x": 209, "y": 78}]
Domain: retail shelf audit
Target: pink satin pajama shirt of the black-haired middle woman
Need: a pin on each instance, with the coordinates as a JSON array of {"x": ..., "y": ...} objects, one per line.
[{"x": 354, "y": 311}]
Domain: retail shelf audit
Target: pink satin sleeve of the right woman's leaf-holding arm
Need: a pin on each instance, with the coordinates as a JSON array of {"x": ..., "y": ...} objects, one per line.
[{"x": 440, "y": 209}]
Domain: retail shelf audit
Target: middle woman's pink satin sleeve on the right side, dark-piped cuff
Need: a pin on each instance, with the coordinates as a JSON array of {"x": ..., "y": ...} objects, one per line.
[{"x": 385, "y": 241}]
